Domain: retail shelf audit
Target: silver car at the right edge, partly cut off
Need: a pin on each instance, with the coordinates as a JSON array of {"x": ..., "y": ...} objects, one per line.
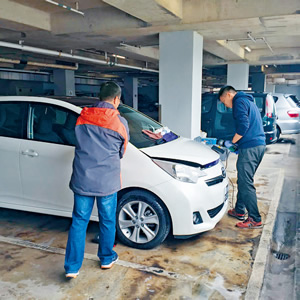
[{"x": 288, "y": 114}]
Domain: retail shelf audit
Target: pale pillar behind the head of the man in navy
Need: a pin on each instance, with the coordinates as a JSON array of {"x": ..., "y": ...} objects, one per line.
[{"x": 238, "y": 76}]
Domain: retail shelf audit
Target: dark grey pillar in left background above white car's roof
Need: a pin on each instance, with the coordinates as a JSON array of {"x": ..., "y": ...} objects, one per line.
[{"x": 64, "y": 82}]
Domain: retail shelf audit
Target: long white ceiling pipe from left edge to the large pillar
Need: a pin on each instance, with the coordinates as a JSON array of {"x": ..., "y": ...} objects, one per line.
[{"x": 71, "y": 56}]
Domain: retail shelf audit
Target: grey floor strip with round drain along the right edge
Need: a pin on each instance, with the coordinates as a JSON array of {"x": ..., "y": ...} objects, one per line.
[{"x": 283, "y": 275}]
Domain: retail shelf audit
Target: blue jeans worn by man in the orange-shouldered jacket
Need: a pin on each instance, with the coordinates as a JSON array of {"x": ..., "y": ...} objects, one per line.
[{"x": 83, "y": 206}]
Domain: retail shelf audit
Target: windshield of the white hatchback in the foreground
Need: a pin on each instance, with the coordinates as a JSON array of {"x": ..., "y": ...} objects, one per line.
[{"x": 137, "y": 122}]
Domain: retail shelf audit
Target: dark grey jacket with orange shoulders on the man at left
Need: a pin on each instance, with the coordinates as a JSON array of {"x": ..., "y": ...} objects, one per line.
[{"x": 102, "y": 136}]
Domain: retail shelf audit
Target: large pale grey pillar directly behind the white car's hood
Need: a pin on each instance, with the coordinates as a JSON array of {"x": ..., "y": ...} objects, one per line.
[{"x": 180, "y": 81}]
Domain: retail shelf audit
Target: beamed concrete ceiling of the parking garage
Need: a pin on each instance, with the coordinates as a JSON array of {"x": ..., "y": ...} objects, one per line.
[{"x": 130, "y": 28}]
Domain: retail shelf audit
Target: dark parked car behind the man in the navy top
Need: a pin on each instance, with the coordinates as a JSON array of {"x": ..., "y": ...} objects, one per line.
[{"x": 217, "y": 120}]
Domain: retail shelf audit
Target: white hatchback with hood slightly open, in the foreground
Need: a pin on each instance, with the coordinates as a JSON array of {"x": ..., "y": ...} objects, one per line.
[{"x": 179, "y": 185}]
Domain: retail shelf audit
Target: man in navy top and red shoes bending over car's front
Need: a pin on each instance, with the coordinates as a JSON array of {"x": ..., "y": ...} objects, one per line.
[{"x": 250, "y": 139}]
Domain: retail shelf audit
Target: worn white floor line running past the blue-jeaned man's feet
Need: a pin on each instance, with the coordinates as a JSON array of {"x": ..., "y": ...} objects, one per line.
[{"x": 123, "y": 263}]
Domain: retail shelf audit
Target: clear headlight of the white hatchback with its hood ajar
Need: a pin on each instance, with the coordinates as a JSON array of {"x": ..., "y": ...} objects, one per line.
[{"x": 179, "y": 171}]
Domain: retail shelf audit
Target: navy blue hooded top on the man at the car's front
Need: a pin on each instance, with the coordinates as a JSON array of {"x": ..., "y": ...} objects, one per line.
[{"x": 248, "y": 121}]
